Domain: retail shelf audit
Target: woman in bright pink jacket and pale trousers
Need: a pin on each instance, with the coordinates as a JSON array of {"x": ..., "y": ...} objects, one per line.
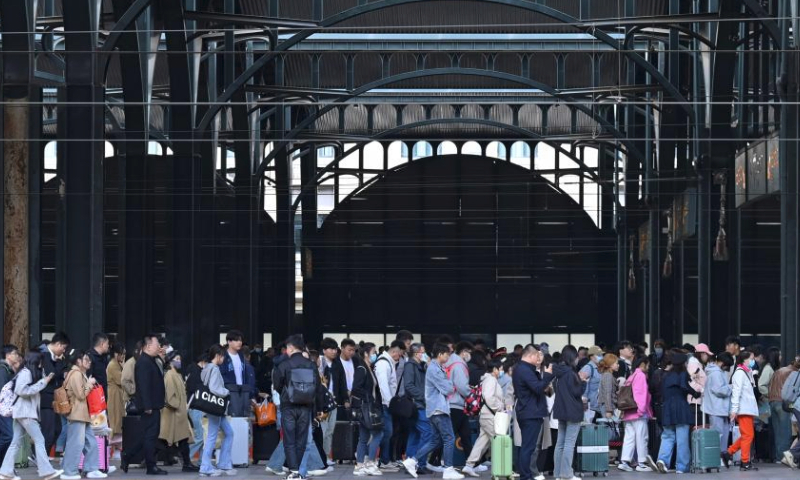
[{"x": 636, "y": 435}]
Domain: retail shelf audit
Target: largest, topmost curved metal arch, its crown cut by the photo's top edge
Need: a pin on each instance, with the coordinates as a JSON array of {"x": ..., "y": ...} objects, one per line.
[{"x": 351, "y": 13}]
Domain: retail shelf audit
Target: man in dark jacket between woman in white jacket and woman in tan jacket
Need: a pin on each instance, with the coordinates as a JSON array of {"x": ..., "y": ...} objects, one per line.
[{"x": 53, "y": 361}]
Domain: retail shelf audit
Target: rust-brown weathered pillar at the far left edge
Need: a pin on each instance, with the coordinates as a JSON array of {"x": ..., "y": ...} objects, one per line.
[{"x": 16, "y": 155}]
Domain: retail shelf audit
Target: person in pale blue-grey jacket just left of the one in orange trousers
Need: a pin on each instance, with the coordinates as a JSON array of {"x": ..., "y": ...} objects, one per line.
[{"x": 717, "y": 396}]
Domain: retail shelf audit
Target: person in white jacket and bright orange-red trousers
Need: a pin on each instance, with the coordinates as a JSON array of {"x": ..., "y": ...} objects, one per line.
[{"x": 744, "y": 409}]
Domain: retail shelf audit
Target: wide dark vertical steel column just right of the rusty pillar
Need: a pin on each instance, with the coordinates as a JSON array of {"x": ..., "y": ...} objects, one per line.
[{"x": 81, "y": 153}]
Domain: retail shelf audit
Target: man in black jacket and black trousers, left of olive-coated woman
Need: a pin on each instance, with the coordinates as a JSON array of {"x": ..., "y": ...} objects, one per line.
[{"x": 150, "y": 400}]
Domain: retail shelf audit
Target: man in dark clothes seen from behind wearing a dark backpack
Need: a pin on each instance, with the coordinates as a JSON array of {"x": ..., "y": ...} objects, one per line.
[{"x": 296, "y": 380}]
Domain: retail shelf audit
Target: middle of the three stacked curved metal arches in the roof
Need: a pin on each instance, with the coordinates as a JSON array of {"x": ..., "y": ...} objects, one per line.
[{"x": 449, "y": 71}]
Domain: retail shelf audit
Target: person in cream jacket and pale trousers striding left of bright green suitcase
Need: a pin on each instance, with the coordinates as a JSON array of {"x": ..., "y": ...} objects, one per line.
[{"x": 493, "y": 402}]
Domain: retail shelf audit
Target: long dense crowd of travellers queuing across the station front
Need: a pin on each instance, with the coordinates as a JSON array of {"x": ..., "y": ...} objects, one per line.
[{"x": 407, "y": 404}]
